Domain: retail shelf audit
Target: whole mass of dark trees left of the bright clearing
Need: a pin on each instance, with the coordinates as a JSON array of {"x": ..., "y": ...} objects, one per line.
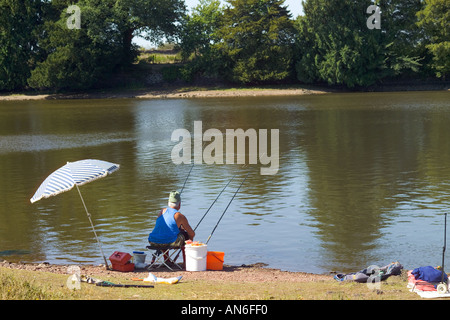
[{"x": 38, "y": 48}]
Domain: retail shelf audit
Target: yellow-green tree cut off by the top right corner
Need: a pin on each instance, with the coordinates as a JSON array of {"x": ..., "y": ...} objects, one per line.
[{"x": 434, "y": 20}]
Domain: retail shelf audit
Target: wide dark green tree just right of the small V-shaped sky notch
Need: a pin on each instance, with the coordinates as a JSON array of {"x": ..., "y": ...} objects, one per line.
[{"x": 336, "y": 46}]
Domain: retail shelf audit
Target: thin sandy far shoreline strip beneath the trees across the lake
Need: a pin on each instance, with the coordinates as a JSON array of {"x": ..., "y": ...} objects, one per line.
[{"x": 211, "y": 92}]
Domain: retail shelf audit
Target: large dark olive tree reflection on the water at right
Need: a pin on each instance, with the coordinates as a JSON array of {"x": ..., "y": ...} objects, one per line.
[{"x": 361, "y": 160}]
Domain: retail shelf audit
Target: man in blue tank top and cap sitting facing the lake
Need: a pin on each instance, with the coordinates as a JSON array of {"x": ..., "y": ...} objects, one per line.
[{"x": 172, "y": 228}]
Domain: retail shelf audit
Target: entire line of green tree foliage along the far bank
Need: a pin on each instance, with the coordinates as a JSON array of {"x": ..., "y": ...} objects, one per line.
[{"x": 243, "y": 41}]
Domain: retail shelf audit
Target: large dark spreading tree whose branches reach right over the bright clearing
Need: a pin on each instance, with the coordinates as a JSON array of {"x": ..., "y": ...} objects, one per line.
[{"x": 80, "y": 58}]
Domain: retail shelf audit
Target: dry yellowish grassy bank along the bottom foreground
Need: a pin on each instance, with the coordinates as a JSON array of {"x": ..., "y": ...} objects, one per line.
[{"x": 36, "y": 285}]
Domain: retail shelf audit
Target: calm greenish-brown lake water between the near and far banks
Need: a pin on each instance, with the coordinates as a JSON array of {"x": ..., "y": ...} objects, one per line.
[{"x": 363, "y": 179}]
